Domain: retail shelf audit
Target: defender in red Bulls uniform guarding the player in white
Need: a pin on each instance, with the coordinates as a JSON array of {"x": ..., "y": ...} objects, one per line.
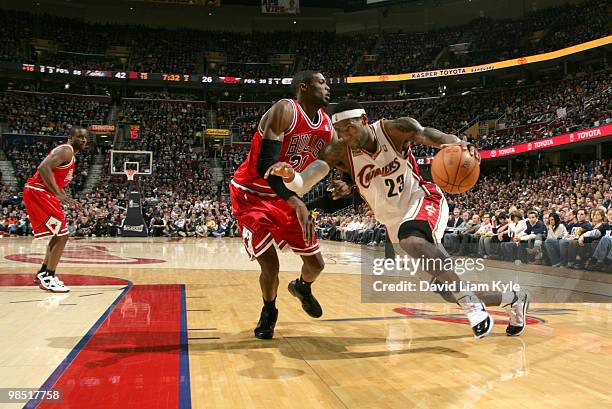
[{"x": 295, "y": 132}]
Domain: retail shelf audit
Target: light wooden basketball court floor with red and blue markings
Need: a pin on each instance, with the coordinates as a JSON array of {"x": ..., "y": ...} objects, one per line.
[{"x": 164, "y": 323}]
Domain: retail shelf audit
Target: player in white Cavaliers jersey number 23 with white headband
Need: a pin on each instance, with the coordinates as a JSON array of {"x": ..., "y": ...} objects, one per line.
[{"x": 414, "y": 210}]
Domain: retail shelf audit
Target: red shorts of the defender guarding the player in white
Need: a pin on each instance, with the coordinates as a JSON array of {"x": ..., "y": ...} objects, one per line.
[{"x": 267, "y": 220}]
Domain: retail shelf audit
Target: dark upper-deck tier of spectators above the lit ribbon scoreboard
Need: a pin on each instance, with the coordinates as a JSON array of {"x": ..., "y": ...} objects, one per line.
[{"x": 84, "y": 45}]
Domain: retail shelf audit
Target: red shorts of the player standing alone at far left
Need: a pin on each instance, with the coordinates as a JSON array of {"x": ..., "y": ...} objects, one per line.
[{"x": 45, "y": 212}]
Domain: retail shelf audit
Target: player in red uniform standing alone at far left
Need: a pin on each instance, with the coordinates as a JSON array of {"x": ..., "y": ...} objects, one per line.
[{"x": 44, "y": 195}]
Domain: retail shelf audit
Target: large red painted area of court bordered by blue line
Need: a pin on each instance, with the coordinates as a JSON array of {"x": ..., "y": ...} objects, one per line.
[{"x": 132, "y": 360}]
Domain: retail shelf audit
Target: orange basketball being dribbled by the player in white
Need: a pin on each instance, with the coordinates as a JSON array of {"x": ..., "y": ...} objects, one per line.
[{"x": 455, "y": 170}]
